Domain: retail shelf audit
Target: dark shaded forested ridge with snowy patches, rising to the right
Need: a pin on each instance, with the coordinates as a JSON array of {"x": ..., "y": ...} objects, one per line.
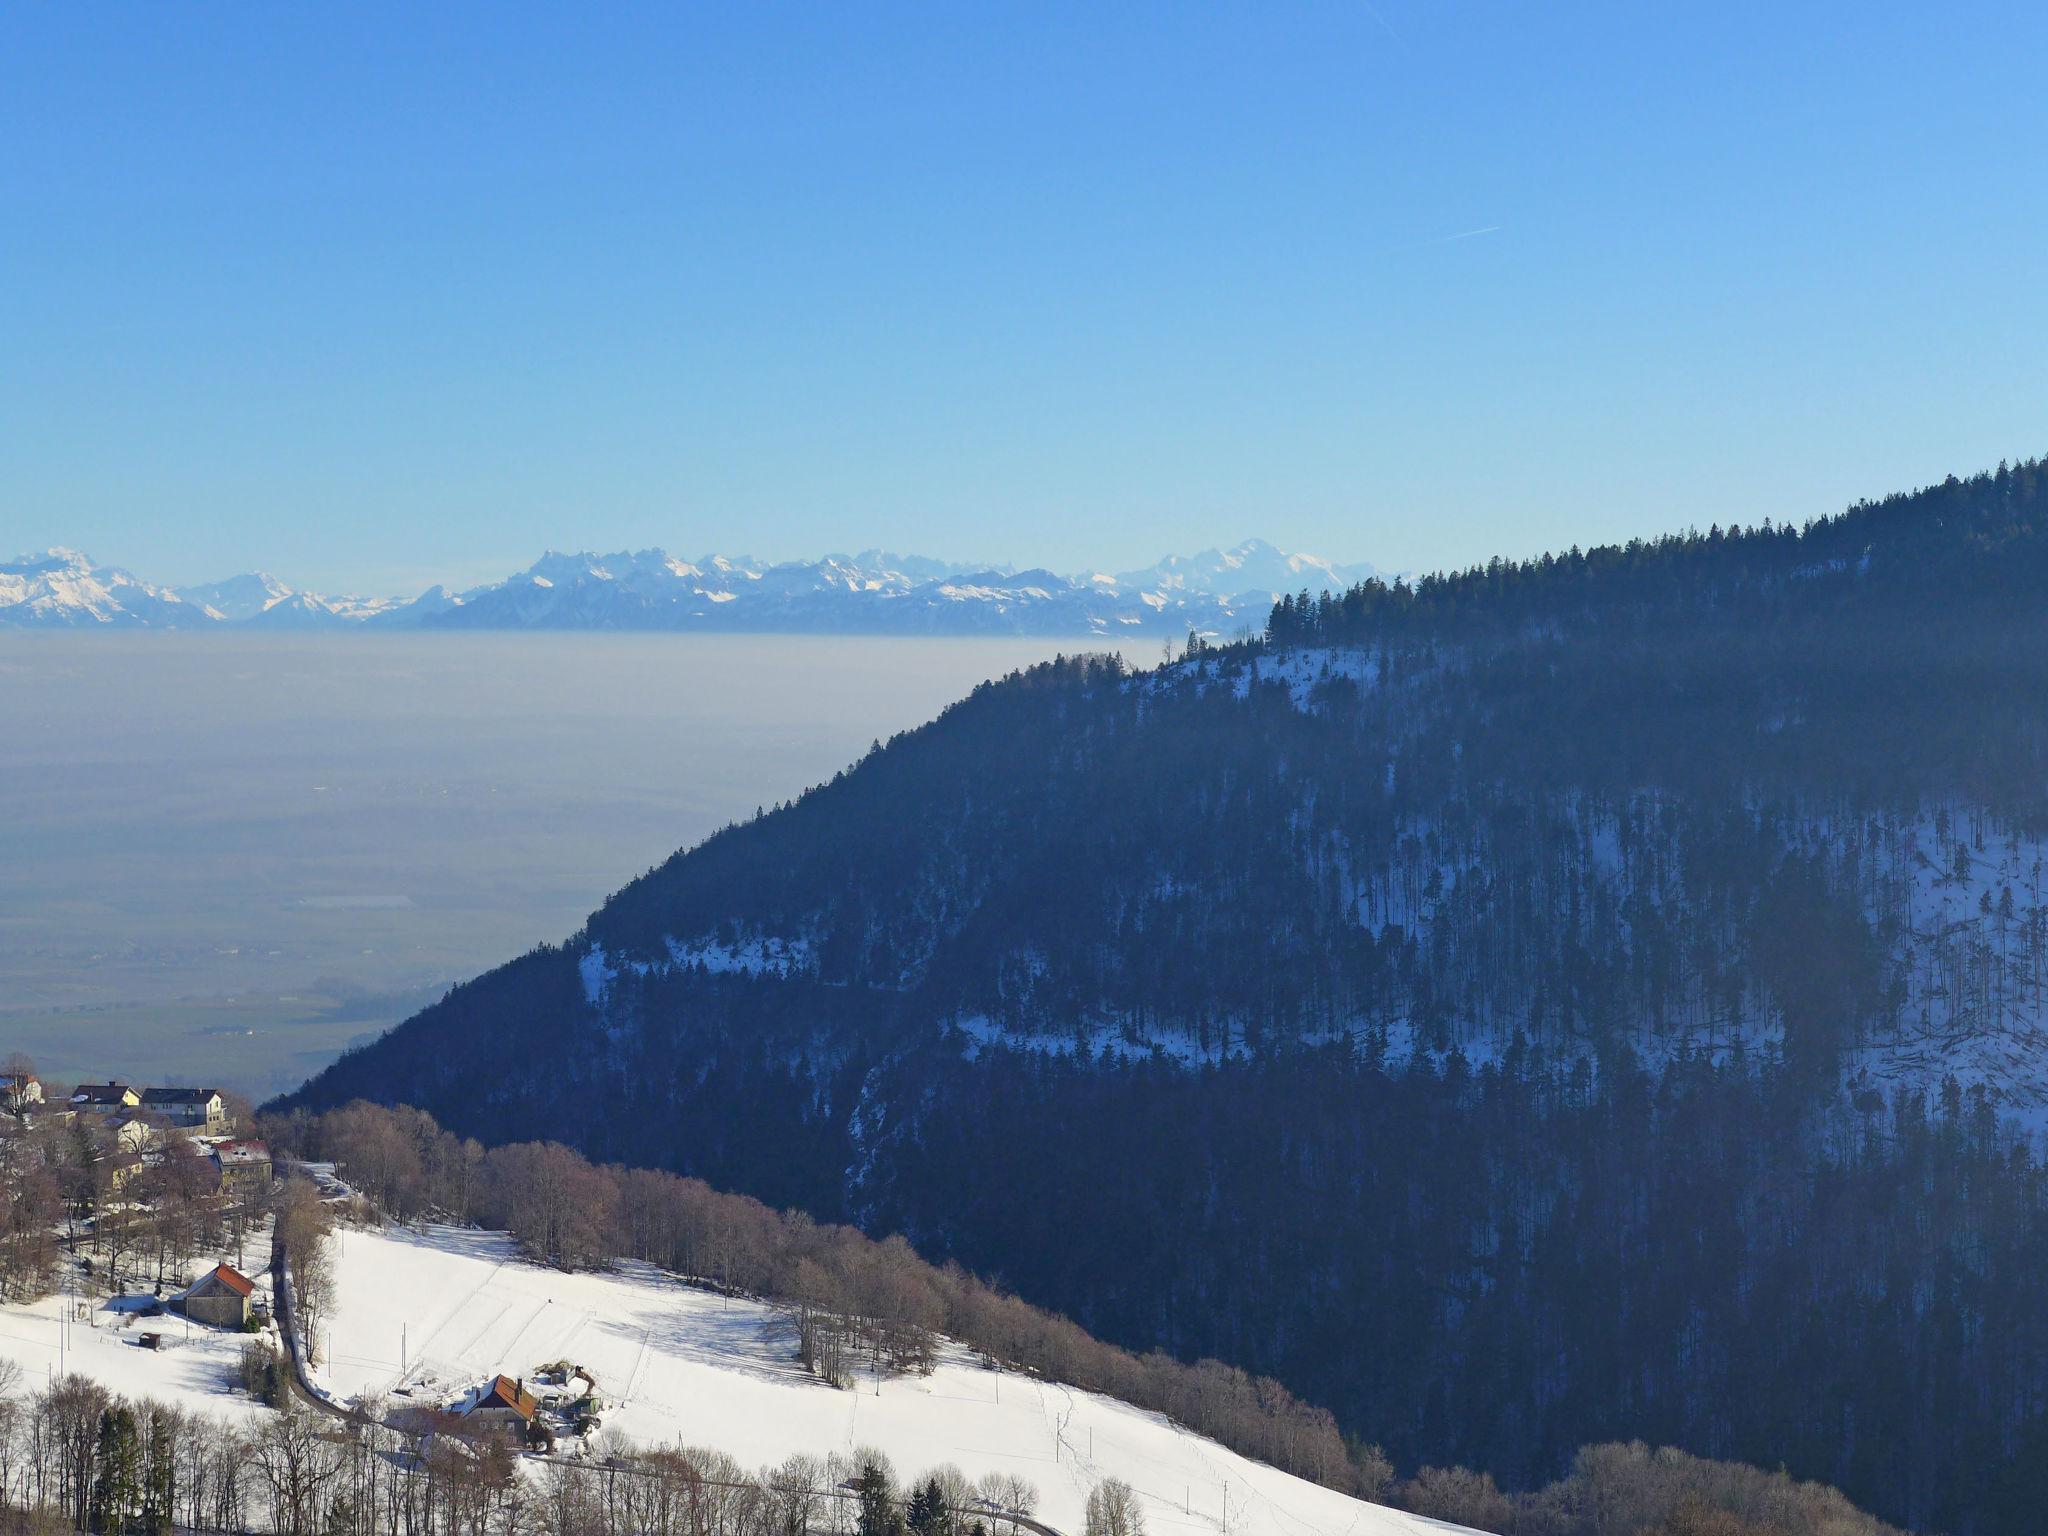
[{"x": 1592, "y": 996}]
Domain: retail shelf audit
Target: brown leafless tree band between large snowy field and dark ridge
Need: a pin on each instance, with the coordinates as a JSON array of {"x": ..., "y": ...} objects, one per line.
[{"x": 857, "y": 1299}]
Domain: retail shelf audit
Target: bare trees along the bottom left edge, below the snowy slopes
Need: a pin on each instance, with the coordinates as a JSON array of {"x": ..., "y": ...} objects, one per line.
[{"x": 81, "y": 1459}]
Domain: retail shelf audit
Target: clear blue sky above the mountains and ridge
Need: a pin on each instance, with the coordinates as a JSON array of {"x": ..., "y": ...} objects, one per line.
[{"x": 378, "y": 296}]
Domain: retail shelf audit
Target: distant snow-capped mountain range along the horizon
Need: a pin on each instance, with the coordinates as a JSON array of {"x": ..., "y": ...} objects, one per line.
[{"x": 876, "y": 591}]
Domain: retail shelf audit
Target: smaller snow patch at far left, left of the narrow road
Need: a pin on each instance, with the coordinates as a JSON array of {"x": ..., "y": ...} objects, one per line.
[{"x": 196, "y": 1369}]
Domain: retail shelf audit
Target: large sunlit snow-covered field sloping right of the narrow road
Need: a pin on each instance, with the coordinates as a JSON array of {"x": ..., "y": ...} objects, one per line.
[{"x": 681, "y": 1365}]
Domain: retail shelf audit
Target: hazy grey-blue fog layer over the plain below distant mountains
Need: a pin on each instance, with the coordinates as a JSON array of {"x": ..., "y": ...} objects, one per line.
[{"x": 226, "y": 857}]
